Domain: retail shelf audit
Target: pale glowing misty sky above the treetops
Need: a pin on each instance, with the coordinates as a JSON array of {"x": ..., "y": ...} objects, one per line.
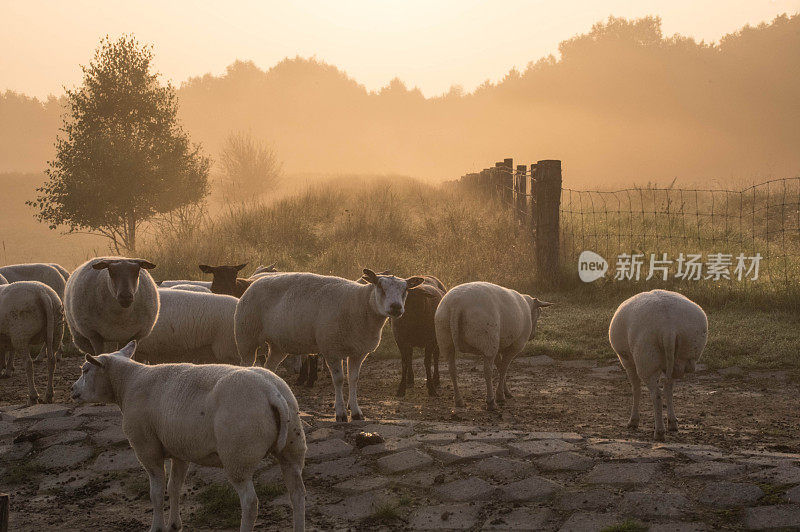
[{"x": 428, "y": 44}]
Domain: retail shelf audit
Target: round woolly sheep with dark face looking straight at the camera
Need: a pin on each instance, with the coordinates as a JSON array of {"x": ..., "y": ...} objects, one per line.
[{"x": 110, "y": 299}]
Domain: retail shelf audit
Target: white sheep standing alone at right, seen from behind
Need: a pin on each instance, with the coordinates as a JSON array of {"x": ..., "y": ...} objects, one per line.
[{"x": 652, "y": 333}]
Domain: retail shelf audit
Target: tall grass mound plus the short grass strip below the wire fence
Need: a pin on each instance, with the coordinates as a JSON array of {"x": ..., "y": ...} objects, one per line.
[{"x": 408, "y": 227}]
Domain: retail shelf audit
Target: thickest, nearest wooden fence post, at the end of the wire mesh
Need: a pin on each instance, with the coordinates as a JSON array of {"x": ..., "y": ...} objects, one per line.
[{"x": 547, "y": 189}]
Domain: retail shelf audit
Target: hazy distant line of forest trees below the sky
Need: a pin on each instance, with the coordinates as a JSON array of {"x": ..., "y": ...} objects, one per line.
[{"x": 622, "y": 103}]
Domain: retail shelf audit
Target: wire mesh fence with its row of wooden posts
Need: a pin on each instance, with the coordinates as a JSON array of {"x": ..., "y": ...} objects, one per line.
[{"x": 752, "y": 234}]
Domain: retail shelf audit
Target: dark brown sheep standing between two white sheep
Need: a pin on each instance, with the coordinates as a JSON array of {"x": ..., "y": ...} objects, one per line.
[{"x": 415, "y": 328}]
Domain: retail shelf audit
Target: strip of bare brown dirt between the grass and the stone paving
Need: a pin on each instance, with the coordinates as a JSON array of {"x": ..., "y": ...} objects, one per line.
[{"x": 753, "y": 409}]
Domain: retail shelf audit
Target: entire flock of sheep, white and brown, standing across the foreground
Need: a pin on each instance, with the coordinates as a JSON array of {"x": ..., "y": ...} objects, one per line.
[{"x": 216, "y": 412}]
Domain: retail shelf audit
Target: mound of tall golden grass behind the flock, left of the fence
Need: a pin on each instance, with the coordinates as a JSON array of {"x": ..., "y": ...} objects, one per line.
[{"x": 341, "y": 227}]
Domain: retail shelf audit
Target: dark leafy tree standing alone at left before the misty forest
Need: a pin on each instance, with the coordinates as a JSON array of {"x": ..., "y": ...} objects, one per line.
[{"x": 123, "y": 157}]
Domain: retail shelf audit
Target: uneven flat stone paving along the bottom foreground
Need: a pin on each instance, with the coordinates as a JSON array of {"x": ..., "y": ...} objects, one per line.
[{"x": 432, "y": 476}]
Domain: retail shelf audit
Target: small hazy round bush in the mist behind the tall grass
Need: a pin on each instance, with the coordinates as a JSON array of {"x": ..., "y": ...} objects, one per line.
[{"x": 250, "y": 165}]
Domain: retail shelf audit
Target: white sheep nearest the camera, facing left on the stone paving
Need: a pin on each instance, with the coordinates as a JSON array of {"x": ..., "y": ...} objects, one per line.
[{"x": 213, "y": 415}]
